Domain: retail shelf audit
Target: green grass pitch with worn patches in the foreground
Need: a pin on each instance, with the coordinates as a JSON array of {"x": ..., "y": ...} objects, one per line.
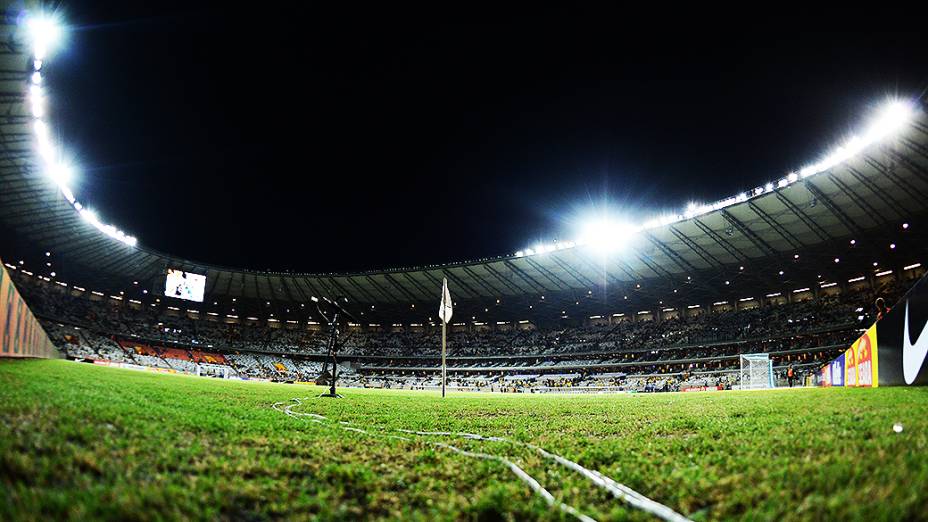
[{"x": 85, "y": 442}]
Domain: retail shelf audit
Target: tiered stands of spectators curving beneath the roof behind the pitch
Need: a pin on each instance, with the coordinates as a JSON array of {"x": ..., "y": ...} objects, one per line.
[{"x": 807, "y": 333}]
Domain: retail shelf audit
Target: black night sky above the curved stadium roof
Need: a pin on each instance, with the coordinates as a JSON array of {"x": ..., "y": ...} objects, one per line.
[{"x": 309, "y": 142}]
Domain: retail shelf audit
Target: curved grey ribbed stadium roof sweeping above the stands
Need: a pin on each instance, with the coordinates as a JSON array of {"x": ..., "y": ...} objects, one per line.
[{"x": 873, "y": 192}]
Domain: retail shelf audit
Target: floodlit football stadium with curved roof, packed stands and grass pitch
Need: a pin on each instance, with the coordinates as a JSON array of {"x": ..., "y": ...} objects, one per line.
[{"x": 723, "y": 361}]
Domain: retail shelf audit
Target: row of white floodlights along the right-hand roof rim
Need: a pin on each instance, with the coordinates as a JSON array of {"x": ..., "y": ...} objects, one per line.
[{"x": 891, "y": 118}]
